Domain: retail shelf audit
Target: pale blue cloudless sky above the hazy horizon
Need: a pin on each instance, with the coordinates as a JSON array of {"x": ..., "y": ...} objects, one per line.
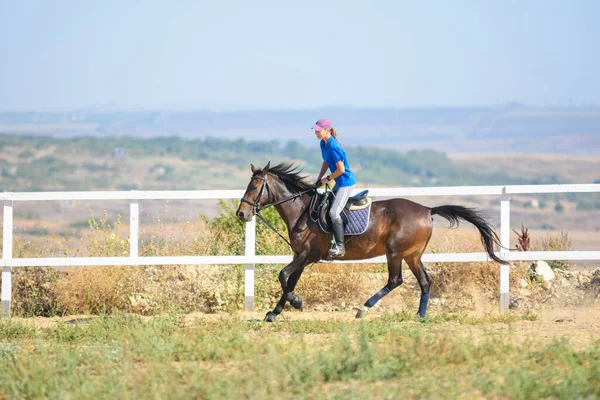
[{"x": 184, "y": 55}]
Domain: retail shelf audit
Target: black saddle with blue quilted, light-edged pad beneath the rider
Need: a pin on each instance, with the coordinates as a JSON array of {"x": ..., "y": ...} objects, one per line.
[{"x": 356, "y": 211}]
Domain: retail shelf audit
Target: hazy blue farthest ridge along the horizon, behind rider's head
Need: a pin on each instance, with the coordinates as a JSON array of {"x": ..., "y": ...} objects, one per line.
[{"x": 508, "y": 129}]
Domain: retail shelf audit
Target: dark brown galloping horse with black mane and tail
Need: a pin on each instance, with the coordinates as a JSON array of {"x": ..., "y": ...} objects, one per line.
[{"x": 398, "y": 228}]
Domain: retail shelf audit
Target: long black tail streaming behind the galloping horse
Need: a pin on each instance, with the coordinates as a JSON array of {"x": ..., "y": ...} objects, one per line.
[{"x": 488, "y": 236}]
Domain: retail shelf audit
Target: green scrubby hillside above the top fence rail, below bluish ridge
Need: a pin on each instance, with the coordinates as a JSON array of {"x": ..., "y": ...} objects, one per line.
[{"x": 39, "y": 163}]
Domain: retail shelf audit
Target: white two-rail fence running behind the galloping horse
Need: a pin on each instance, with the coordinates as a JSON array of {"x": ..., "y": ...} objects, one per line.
[{"x": 249, "y": 259}]
